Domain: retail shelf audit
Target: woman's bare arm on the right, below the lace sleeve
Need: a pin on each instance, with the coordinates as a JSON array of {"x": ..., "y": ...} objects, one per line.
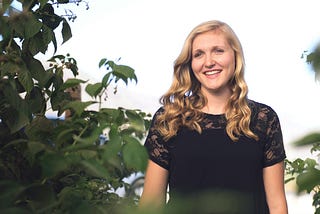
[{"x": 273, "y": 177}]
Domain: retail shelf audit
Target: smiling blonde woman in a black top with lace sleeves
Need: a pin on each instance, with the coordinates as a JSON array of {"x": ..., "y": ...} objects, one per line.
[{"x": 217, "y": 150}]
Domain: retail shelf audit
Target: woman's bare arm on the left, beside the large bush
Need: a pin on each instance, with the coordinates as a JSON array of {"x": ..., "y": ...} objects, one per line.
[{"x": 155, "y": 186}]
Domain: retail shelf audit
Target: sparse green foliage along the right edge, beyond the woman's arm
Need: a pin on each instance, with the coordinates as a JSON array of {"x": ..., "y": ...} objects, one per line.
[{"x": 306, "y": 172}]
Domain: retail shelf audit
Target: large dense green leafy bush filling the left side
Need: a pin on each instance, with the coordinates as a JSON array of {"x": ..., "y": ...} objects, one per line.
[{"x": 53, "y": 165}]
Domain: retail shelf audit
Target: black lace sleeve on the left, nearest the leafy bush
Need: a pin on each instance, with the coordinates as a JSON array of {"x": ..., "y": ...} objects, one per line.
[{"x": 156, "y": 147}]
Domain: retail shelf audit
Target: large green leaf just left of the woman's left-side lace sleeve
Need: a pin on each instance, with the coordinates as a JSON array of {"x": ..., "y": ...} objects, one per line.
[{"x": 135, "y": 155}]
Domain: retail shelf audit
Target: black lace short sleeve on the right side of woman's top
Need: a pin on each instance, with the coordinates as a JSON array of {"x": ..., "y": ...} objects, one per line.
[{"x": 269, "y": 124}]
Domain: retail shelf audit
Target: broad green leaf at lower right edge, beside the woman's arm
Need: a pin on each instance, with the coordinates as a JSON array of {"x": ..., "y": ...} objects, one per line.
[{"x": 308, "y": 180}]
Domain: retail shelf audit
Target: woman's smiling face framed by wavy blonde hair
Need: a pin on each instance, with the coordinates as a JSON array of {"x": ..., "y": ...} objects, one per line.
[{"x": 213, "y": 62}]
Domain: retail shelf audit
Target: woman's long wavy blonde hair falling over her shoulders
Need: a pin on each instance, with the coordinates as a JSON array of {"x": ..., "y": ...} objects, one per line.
[{"x": 183, "y": 102}]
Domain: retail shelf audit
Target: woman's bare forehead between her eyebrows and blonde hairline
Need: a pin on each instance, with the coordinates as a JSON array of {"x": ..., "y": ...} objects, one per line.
[{"x": 209, "y": 39}]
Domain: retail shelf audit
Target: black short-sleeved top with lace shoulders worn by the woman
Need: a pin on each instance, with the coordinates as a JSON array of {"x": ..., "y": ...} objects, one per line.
[{"x": 209, "y": 173}]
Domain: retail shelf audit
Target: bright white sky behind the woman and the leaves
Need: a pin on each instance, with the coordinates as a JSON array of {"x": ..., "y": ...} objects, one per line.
[{"x": 148, "y": 35}]
